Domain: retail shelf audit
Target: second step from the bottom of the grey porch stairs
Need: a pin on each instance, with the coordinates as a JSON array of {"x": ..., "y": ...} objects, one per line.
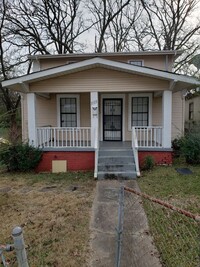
[{"x": 116, "y": 167}]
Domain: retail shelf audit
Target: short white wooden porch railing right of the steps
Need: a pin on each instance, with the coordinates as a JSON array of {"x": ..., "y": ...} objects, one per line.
[{"x": 149, "y": 137}]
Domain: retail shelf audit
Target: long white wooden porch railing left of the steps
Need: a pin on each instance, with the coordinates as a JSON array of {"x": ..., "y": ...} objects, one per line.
[{"x": 60, "y": 137}]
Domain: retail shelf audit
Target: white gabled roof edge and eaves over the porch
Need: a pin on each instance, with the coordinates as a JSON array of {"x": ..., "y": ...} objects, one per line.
[{"x": 177, "y": 81}]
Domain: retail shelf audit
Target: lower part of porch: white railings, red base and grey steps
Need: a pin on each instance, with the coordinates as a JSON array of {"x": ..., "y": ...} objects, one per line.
[{"x": 81, "y": 150}]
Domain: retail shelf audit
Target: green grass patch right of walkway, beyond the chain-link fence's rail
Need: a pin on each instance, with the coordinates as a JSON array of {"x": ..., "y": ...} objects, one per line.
[{"x": 166, "y": 183}]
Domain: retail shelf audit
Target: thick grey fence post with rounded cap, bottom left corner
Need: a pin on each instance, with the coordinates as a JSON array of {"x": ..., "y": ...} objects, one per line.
[{"x": 19, "y": 245}]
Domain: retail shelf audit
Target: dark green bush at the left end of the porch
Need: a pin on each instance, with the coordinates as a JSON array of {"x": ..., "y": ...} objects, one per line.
[{"x": 19, "y": 157}]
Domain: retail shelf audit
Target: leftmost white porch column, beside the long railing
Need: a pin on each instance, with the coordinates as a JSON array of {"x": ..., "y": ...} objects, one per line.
[{"x": 31, "y": 119}]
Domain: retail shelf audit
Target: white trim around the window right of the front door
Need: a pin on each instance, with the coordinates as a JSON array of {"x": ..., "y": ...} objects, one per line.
[{"x": 149, "y": 95}]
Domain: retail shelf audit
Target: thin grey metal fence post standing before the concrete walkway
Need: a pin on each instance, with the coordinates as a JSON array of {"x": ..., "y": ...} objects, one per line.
[{"x": 120, "y": 226}]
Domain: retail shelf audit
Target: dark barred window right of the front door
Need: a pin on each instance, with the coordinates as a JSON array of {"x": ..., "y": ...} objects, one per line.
[{"x": 140, "y": 111}]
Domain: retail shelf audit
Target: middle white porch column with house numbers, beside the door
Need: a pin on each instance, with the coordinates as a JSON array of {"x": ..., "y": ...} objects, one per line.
[{"x": 94, "y": 117}]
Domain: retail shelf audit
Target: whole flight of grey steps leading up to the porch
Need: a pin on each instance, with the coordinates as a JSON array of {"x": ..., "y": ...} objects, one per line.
[{"x": 115, "y": 163}]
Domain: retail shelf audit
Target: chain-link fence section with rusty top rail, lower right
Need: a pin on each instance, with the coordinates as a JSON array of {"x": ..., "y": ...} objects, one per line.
[{"x": 152, "y": 233}]
